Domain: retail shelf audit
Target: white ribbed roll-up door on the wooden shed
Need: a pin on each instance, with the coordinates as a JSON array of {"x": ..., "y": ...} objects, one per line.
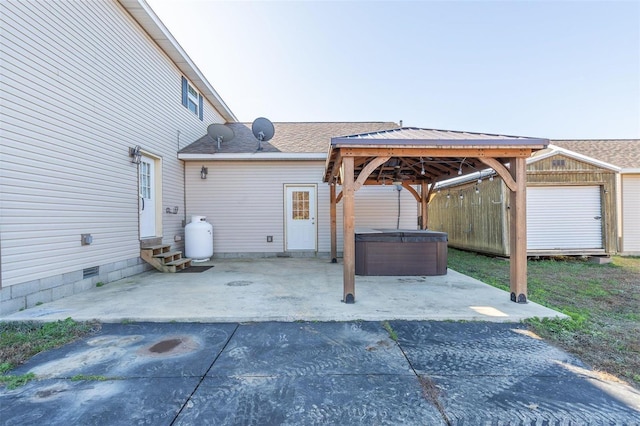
[{"x": 564, "y": 217}]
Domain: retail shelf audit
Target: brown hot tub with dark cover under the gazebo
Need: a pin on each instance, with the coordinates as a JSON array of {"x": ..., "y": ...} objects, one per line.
[{"x": 399, "y": 252}]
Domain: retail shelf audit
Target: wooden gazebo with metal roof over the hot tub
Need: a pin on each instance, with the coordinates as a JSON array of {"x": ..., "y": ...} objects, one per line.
[{"x": 422, "y": 157}]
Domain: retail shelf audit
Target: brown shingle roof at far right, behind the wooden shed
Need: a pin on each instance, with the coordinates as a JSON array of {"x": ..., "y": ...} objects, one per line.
[{"x": 624, "y": 153}]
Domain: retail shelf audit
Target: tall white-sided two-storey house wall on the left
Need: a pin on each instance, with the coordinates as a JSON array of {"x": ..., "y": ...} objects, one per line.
[{"x": 81, "y": 83}]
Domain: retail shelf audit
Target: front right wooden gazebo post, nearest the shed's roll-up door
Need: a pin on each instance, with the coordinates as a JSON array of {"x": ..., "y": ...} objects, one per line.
[{"x": 518, "y": 231}]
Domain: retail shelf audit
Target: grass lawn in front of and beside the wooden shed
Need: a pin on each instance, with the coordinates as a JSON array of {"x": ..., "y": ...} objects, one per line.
[{"x": 603, "y": 302}]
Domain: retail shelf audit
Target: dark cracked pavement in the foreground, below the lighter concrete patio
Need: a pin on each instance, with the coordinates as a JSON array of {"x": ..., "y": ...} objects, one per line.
[{"x": 305, "y": 373}]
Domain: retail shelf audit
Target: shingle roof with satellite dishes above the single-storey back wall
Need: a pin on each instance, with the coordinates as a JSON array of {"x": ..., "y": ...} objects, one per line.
[{"x": 288, "y": 138}]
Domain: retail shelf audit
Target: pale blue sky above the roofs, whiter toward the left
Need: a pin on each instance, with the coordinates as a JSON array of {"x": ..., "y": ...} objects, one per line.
[{"x": 550, "y": 69}]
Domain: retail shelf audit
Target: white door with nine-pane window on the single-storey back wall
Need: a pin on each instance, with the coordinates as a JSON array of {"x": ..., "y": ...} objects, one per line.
[{"x": 300, "y": 217}]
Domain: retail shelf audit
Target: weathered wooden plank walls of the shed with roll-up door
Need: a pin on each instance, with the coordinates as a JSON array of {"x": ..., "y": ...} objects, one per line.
[{"x": 480, "y": 222}]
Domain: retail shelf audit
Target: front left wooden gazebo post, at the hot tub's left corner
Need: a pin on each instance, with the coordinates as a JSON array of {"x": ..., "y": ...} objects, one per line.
[{"x": 349, "y": 244}]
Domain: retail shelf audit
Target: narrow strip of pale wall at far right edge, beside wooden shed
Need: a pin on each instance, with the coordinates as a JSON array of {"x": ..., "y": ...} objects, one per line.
[{"x": 631, "y": 214}]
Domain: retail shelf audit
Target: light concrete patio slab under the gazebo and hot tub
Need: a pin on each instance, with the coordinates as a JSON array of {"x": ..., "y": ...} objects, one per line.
[{"x": 285, "y": 289}]
